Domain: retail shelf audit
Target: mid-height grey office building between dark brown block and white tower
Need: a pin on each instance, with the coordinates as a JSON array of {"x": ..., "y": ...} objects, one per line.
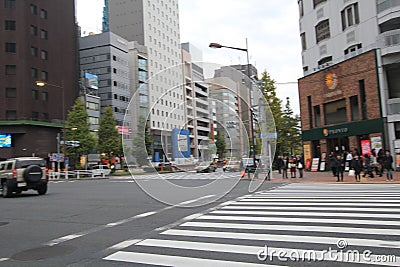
[{"x": 106, "y": 56}]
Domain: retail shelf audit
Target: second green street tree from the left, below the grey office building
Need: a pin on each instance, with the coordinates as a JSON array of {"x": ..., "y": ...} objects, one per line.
[{"x": 110, "y": 141}]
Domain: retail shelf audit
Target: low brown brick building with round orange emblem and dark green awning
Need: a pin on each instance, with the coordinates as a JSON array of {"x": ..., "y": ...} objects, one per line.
[{"x": 340, "y": 108}]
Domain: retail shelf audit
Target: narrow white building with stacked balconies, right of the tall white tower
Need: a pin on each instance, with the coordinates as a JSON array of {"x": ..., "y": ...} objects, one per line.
[{"x": 197, "y": 102}]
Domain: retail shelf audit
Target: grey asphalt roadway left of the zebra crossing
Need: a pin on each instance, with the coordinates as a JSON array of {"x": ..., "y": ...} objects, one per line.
[{"x": 78, "y": 223}]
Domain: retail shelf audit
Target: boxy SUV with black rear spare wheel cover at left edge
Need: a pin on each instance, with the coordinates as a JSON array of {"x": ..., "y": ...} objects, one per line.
[{"x": 22, "y": 174}]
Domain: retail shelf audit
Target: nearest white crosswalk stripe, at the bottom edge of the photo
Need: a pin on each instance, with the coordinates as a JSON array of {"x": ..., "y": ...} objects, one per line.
[{"x": 176, "y": 261}]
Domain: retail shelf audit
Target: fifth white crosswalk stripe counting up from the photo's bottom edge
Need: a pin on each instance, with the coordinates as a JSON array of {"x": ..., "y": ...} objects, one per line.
[{"x": 301, "y": 220}]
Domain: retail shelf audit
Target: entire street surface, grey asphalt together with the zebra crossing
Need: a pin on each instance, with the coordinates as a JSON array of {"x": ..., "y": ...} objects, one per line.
[{"x": 112, "y": 222}]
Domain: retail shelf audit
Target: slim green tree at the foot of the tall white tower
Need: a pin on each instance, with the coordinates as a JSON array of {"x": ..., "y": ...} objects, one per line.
[{"x": 142, "y": 142}]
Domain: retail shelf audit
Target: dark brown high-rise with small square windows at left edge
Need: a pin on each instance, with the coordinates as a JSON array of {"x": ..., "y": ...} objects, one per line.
[{"x": 38, "y": 42}]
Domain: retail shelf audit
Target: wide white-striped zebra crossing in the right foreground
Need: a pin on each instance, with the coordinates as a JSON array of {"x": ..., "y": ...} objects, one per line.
[{"x": 294, "y": 225}]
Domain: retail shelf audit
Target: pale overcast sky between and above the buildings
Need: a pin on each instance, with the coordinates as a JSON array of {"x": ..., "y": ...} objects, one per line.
[{"x": 270, "y": 26}]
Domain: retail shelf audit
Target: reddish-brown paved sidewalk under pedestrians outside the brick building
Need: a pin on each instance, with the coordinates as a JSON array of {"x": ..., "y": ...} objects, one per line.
[{"x": 327, "y": 177}]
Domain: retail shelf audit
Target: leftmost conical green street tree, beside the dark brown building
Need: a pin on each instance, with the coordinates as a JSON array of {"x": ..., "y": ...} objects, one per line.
[{"x": 77, "y": 129}]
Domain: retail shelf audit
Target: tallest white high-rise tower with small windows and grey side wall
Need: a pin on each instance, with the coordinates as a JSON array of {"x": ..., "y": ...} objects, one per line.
[{"x": 155, "y": 24}]
